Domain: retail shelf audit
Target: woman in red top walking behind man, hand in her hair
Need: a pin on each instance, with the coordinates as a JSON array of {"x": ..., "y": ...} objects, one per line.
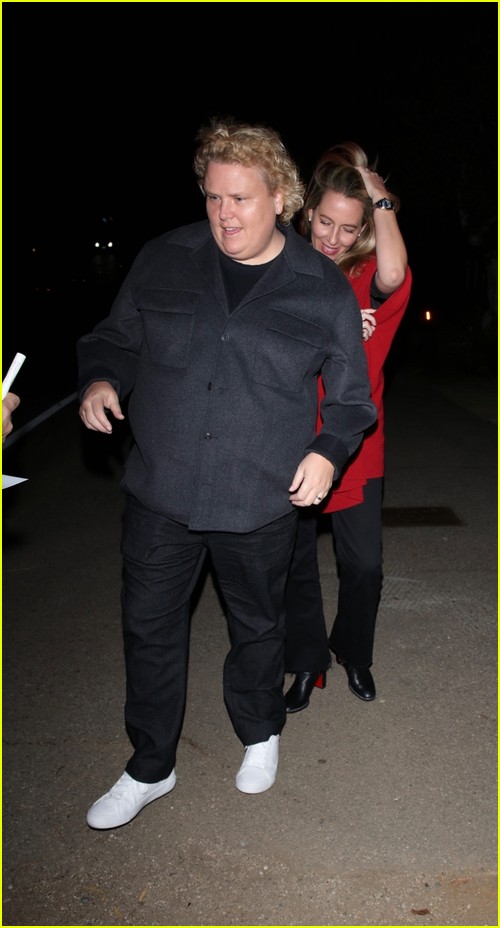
[{"x": 350, "y": 217}]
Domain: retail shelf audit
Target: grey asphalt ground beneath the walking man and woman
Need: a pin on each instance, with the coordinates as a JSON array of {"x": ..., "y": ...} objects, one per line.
[{"x": 383, "y": 813}]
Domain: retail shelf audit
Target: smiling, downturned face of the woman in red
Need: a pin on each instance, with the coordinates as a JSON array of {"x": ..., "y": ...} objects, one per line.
[{"x": 336, "y": 223}]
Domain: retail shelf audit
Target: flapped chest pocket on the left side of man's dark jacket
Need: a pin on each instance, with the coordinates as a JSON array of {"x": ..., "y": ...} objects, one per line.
[{"x": 168, "y": 318}]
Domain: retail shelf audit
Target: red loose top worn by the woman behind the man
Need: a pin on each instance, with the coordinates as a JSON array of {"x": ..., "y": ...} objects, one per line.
[{"x": 368, "y": 461}]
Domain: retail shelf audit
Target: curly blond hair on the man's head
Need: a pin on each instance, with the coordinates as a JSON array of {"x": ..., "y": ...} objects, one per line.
[{"x": 229, "y": 142}]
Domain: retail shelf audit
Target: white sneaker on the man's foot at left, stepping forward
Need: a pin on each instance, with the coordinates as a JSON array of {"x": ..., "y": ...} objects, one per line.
[{"x": 125, "y": 799}]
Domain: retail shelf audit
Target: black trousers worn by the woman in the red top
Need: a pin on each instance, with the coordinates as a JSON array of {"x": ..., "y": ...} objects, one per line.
[{"x": 357, "y": 535}]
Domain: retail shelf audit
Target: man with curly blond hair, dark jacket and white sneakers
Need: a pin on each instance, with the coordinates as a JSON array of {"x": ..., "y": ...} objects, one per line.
[{"x": 218, "y": 334}]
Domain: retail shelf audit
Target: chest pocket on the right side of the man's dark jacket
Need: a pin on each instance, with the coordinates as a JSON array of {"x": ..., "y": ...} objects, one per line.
[{"x": 288, "y": 349}]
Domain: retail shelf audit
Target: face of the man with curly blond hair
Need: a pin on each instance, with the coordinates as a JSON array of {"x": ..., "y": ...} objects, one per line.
[{"x": 242, "y": 212}]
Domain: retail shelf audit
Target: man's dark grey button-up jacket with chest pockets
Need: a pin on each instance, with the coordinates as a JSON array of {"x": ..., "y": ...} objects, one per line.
[{"x": 223, "y": 405}]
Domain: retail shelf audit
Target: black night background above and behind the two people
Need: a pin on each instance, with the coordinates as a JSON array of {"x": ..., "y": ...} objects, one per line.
[{"x": 101, "y": 105}]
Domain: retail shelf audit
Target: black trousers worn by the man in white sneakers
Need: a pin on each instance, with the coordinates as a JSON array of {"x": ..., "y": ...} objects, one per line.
[{"x": 162, "y": 561}]
